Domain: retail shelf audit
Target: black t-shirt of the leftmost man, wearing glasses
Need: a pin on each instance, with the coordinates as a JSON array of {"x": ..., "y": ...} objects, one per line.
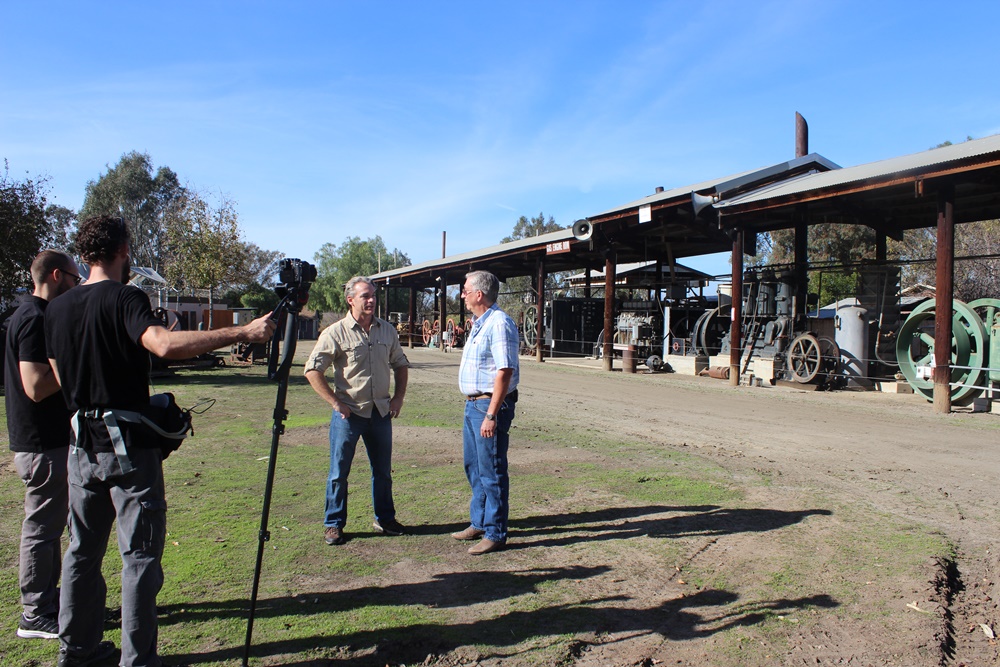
[{"x": 31, "y": 426}]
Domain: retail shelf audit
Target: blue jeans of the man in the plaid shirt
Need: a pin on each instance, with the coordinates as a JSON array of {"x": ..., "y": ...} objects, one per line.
[{"x": 486, "y": 468}]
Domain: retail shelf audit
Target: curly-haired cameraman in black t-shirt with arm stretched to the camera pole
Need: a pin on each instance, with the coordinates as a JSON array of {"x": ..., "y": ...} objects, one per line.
[{"x": 99, "y": 337}]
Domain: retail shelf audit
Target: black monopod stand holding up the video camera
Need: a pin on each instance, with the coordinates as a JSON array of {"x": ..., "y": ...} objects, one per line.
[{"x": 287, "y": 314}]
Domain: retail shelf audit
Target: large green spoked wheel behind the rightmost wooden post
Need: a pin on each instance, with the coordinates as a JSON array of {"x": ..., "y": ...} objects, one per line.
[{"x": 915, "y": 348}]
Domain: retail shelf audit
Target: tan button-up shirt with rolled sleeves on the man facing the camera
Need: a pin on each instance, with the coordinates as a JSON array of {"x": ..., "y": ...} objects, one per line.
[{"x": 361, "y": 362}]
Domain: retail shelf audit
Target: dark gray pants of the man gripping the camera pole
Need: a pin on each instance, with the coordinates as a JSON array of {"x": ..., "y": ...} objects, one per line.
[{"x": 98, "y": 494}]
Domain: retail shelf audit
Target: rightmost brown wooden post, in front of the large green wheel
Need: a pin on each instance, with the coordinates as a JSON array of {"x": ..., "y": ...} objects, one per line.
[{"x": 944, "y": 294}]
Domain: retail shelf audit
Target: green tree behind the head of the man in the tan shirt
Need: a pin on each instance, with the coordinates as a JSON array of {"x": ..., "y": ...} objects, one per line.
[{"x": 335, "y": 265}]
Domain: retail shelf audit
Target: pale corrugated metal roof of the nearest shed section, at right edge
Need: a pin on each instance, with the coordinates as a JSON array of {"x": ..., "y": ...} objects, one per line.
[{"x": 872, "y": 171}]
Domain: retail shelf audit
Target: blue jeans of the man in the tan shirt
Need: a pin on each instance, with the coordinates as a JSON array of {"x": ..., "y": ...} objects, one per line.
[{"x": 376, "y": 431}]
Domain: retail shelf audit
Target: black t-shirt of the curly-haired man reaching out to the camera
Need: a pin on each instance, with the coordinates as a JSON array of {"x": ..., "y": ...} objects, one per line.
[{"x": 93, "y": 332}]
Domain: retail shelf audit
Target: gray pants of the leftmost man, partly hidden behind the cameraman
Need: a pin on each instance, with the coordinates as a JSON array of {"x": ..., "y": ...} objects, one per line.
[{"x": 45, "y": 508}]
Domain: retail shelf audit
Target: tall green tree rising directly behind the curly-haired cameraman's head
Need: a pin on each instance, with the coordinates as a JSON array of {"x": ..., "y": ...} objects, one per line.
[{"x": 133, "y": 191}]
